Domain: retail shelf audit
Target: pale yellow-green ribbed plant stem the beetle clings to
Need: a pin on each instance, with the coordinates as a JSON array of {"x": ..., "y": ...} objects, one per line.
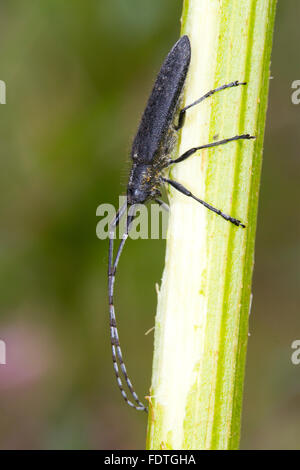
[{"x": 201, "y": 327}]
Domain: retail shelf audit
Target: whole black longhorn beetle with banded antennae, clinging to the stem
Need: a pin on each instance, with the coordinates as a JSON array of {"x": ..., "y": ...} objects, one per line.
[{"x": 151, "y": 148}]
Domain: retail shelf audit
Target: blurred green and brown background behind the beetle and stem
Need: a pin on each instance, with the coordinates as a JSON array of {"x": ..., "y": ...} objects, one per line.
[{"x": 78, "y": 75}]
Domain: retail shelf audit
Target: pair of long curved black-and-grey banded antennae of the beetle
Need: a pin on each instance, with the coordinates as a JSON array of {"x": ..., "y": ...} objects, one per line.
[{"x": 115, "y": 343}]
